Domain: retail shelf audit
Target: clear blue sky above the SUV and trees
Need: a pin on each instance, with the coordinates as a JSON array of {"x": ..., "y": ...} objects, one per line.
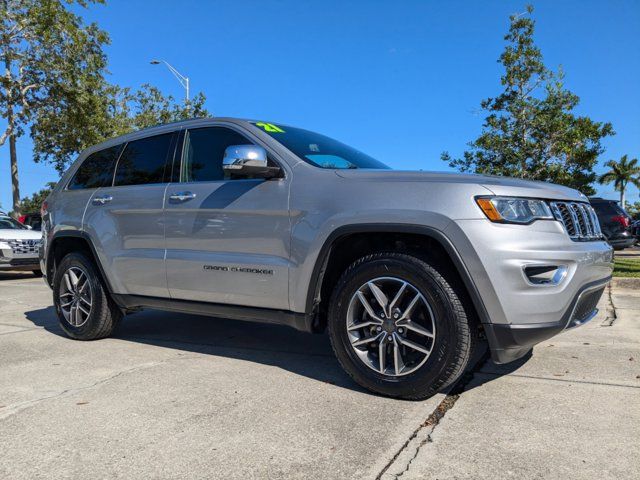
[{"x": 401, "y": 80}]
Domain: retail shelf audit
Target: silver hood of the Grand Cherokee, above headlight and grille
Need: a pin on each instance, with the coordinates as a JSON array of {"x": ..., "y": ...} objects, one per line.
[{"x": 505, "y": 186}]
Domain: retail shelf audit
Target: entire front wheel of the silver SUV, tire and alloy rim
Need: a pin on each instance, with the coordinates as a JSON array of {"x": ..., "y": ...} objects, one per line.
[{"x": 398, "y": 327}]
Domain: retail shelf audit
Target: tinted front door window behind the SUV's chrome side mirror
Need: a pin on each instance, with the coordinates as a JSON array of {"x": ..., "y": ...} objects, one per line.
[{"x": 204, "y": 151}]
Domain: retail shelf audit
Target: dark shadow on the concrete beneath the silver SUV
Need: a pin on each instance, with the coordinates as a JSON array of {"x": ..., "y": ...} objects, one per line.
[{"x": 280, "y": 346}]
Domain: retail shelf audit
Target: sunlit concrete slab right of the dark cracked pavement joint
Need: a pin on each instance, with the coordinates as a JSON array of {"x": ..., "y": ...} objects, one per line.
[{"x": 571, "y": 411}]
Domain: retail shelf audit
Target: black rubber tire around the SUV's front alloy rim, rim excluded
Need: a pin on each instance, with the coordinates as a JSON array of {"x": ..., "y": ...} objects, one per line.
[{"x": 453, "y": 344}]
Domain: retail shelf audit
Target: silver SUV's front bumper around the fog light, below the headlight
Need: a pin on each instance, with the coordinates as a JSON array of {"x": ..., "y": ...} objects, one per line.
[{"x": 521, "y": 312}]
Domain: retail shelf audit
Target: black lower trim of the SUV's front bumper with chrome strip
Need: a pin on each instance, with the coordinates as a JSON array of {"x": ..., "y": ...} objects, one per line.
[{"x": 510, "y": 342}]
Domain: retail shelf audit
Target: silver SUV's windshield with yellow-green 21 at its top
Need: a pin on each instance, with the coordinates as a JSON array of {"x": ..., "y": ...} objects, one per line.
[{"x": 319, "y": 150}]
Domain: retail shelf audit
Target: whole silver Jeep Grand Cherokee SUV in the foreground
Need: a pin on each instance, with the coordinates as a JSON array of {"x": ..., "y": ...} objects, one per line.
[{"x": 266, "y": 222}]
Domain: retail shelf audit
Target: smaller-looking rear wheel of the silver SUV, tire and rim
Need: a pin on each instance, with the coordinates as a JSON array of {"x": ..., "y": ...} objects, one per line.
[{"x": 84, "y": 308}]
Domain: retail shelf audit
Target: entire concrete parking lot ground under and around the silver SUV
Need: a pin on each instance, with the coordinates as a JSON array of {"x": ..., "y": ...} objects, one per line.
[{"x": 177, "y": 396}]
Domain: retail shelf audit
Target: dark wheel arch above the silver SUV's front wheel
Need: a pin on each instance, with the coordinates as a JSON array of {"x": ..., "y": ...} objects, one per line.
[{"x": 317, "y": 294}]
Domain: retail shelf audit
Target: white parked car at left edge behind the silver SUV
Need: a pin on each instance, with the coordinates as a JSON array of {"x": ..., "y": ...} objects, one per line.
[{"x": 19, "y": 246}]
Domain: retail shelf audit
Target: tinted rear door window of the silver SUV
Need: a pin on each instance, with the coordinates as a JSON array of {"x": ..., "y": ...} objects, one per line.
[{"x": 143, "y": 161}]
